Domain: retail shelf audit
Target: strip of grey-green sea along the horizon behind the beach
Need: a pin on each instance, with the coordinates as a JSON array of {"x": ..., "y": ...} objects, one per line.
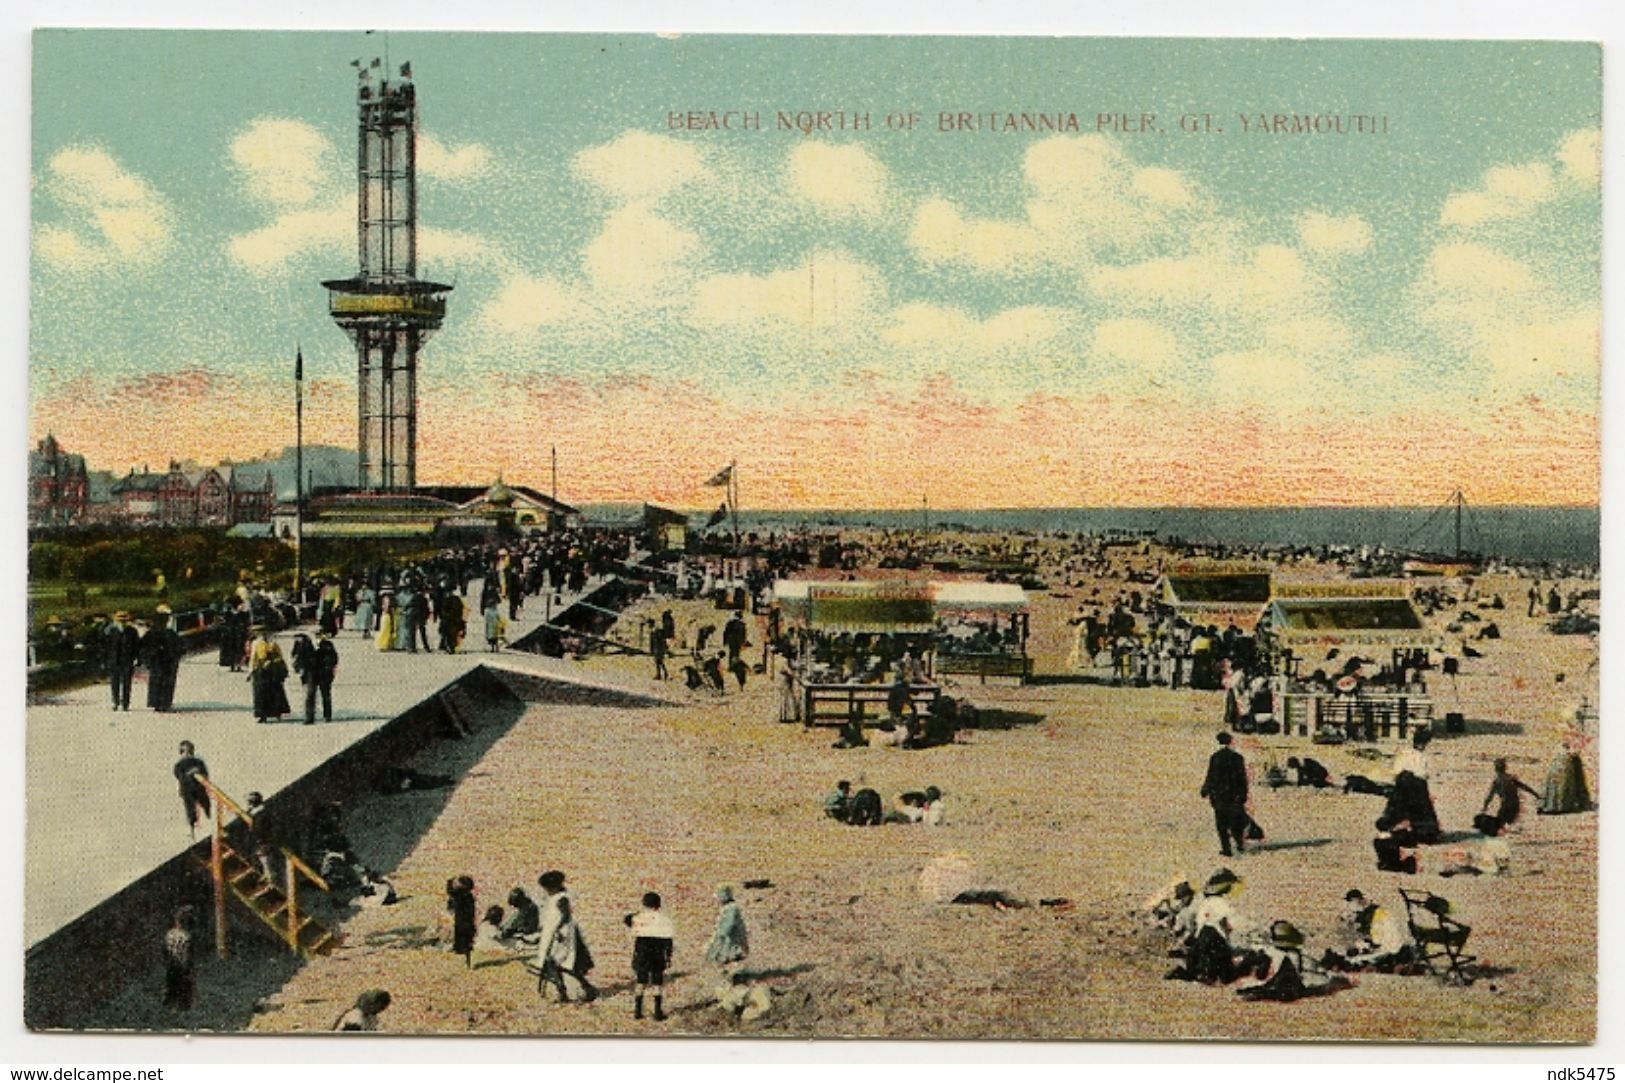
[{"x": 1569, "y": 536}]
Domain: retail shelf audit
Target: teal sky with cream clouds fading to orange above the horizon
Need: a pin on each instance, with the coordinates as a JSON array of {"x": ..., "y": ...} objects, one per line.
[{"x": 1122, "y": 315}]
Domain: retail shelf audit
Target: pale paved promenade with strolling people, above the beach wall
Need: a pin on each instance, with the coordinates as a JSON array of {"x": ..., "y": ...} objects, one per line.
[{"x": 103, "y": 804}]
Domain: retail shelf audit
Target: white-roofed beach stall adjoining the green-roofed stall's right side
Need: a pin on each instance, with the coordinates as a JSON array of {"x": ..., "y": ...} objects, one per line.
[{"x": 982, "y": 630}]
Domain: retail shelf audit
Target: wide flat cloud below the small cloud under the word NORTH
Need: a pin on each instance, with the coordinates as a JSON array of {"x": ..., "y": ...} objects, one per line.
[{"x": 828, "y": 290}]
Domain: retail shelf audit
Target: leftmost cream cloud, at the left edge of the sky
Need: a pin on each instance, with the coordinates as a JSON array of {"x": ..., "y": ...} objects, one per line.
[{"x": 115, "y": 219}]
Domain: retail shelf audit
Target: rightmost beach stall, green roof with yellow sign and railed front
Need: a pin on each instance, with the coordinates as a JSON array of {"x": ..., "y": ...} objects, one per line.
[{"x": 1348, "y": 661}]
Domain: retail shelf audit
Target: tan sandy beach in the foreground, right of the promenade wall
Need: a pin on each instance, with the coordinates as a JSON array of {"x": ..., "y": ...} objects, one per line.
[{"x": 1091, "y": 798}]
